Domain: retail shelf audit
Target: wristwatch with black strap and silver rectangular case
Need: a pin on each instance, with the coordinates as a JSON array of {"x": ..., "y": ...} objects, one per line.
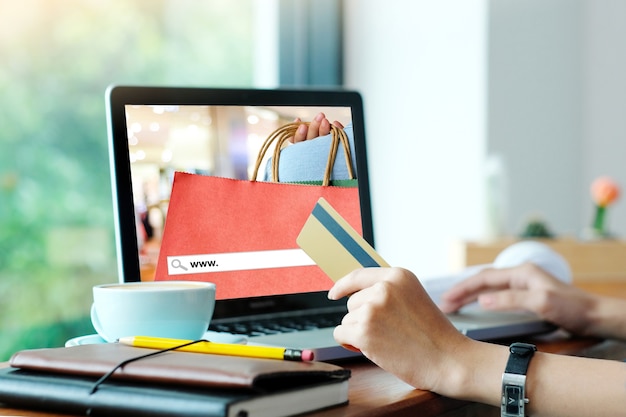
[{"x": 514, "y": 380}]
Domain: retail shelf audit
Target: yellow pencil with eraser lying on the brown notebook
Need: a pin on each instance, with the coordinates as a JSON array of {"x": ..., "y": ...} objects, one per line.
[{"x": 265, "y": 352}]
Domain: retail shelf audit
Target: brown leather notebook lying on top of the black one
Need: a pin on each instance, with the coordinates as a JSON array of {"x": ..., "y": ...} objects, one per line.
[{"x": 194, "y": 369}]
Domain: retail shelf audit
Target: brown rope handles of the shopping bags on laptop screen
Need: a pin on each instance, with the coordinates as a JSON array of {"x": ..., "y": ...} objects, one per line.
[{"x": 281, "y": 135}]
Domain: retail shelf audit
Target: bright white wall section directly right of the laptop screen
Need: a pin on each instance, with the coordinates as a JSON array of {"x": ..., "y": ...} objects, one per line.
[{"x": 421, "y": 67}]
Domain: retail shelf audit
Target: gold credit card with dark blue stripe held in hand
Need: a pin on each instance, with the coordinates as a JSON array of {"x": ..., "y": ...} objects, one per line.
[{"x": 334, "y": 245}]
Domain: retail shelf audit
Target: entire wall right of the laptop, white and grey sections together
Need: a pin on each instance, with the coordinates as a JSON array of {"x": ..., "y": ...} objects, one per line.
[{"x": 541, "y": 83}]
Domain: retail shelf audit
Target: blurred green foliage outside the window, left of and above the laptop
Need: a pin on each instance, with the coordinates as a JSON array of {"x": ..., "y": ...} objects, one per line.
[{"x": 57, "y": 58}]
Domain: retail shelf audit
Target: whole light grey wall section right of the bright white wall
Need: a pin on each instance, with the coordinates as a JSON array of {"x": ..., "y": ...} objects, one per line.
[{"x": 556, "y": 106}]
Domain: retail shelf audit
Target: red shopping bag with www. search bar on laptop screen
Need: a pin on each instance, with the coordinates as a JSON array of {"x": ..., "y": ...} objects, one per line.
[{"x": 241, "y": 235}]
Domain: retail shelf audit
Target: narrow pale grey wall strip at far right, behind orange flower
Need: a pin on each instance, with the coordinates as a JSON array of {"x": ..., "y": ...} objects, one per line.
[{"x": 604, "y": 105}]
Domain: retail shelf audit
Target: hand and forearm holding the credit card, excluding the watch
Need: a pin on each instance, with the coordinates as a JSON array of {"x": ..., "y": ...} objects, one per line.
[{"x": 395, "y": 324}]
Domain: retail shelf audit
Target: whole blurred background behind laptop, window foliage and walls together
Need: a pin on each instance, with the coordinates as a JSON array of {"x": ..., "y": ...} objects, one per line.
[{"x": 480, "y": 115}]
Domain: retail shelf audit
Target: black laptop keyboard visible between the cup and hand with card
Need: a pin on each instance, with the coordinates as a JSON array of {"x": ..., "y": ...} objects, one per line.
[{"x": 260, "y": 327}]
